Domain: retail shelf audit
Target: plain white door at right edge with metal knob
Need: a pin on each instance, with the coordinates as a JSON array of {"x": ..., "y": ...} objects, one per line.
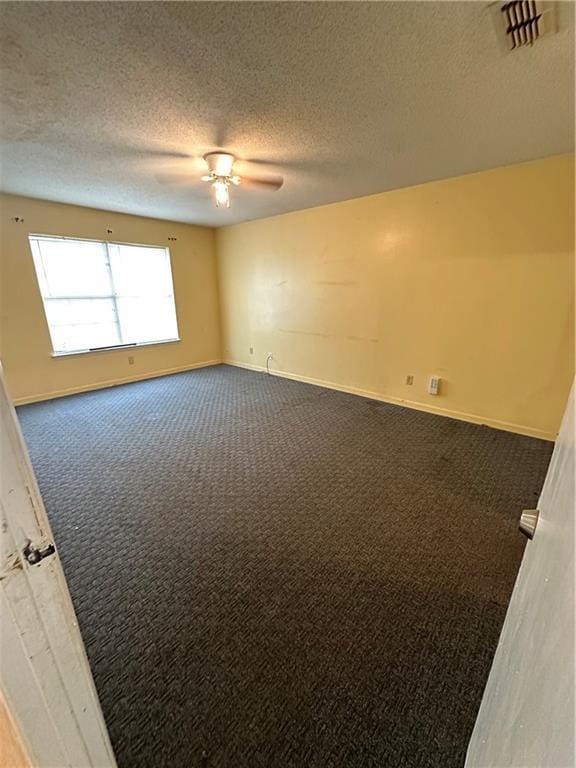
[{"x": 526, "y": 718}]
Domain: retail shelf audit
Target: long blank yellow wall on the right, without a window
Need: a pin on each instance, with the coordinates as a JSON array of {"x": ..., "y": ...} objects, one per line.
[{"x": 470, "y": 279}]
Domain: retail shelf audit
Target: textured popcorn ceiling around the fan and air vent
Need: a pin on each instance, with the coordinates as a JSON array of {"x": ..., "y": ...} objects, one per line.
[{"x": 342, "y": 99}]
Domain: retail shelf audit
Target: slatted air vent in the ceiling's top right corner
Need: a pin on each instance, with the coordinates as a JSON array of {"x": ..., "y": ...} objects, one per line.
[{"x": 523, "y": 22}]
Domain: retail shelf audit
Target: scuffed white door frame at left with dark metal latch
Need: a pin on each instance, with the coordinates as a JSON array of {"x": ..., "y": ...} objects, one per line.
[{"x": 44, "y": 672}]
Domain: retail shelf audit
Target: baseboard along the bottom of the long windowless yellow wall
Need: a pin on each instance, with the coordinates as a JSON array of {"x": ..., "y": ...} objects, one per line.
[{"x": 506, "y": 426}]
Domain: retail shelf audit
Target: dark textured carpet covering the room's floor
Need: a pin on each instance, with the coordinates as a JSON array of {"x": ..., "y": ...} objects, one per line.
[{"x": 270, "y": 574}]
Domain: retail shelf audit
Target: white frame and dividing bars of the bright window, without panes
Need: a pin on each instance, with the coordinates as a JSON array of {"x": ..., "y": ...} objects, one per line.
[{"x": 113, "y": 297}]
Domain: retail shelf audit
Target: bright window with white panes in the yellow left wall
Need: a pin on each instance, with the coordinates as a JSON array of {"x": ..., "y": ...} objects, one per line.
[{"x": 99, "y": 295}]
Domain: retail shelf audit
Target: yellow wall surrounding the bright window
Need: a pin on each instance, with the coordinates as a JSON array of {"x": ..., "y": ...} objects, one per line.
[{"x": 31, "y": 371}]
